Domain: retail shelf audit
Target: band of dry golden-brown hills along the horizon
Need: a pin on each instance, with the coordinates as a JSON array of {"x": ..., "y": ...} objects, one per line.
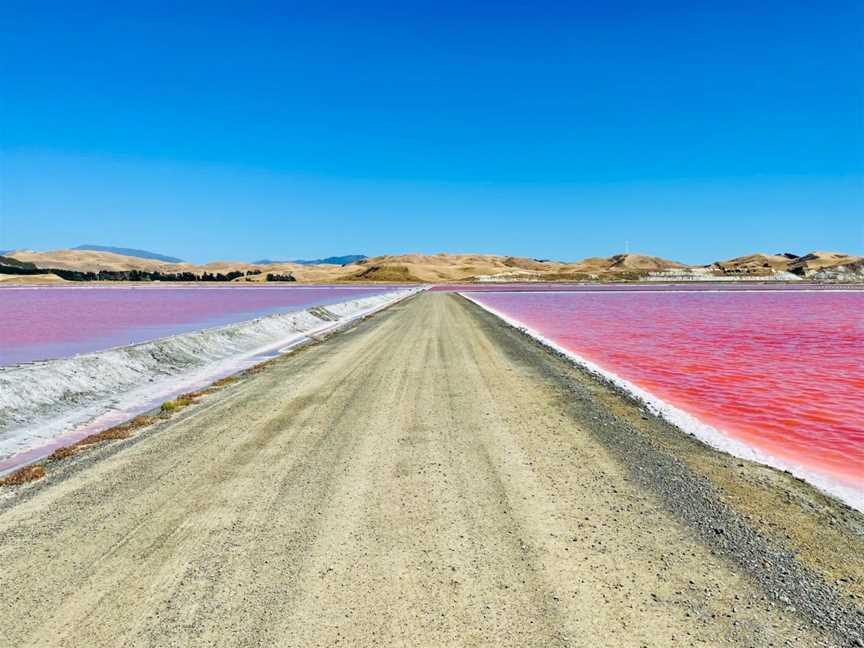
[{"x": 434, "y": 268}]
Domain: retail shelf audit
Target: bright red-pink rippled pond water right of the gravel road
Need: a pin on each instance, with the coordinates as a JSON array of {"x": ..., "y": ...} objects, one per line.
[{"x": 782, "y": 371}]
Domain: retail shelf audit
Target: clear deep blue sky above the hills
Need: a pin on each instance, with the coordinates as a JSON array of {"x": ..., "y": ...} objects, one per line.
[{"x": 692, "y": 130}]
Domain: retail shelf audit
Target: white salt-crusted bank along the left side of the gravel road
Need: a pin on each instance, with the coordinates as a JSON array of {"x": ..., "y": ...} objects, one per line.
[{"x": 46, "y": 405}]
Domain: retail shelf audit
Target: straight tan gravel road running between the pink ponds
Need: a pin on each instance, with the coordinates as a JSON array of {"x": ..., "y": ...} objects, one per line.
[{"x": 428, "y": 478}]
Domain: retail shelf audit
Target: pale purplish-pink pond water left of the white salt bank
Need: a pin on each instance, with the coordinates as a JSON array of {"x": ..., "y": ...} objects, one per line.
[{"x": 37, "y": 323}]
